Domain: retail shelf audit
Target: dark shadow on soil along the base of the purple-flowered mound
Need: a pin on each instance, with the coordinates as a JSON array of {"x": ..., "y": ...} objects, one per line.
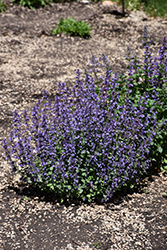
[{"x": 124, "y": 194}]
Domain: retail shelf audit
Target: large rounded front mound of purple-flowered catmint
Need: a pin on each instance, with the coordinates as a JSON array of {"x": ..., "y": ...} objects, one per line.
[{"x": 85, "y": 145}]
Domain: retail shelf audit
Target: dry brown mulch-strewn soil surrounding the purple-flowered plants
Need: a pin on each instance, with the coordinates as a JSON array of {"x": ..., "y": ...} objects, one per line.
[{"x": 32, "y": 60}]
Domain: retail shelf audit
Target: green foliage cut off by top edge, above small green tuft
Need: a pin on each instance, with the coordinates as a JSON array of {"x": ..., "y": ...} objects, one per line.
[{"x": 32, "y": 3}]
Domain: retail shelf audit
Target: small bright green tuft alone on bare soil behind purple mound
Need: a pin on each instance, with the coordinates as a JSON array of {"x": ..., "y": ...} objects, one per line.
[{"x": 72, "y": 27}]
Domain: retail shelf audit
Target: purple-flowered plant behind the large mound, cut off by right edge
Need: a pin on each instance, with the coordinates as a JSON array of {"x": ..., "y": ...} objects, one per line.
[{"x": 150, "y": 76}]
